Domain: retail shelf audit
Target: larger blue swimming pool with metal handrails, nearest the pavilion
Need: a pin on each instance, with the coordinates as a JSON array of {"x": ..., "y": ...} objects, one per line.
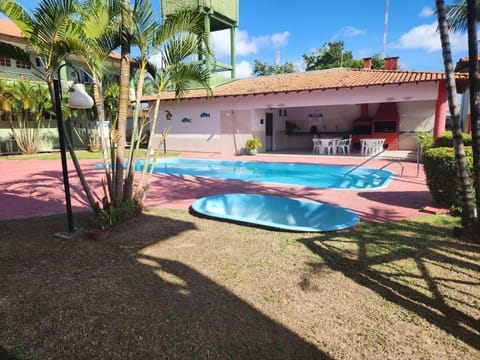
[{"x": 310, "y": 175}]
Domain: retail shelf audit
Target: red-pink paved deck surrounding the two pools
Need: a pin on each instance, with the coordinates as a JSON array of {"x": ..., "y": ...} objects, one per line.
[{"x": 35, "y": 188}]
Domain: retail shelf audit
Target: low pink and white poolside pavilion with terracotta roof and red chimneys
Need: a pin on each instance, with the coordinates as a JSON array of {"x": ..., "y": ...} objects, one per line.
[{"x": 284, "y": 111}]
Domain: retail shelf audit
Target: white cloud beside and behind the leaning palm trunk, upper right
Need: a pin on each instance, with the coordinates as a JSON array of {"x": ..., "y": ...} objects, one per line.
[{"x": 426, "y": 37}]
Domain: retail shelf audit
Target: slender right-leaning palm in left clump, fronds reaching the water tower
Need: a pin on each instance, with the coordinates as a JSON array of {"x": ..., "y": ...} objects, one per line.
[{"x": 177, "y": 39}]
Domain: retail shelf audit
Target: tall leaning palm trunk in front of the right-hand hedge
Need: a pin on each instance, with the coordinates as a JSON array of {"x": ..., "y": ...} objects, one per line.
[{"x": 468, "y": 213}]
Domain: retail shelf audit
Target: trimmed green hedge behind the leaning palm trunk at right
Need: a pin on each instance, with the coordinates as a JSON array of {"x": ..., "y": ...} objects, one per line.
[{"x": 441, "y": 173}]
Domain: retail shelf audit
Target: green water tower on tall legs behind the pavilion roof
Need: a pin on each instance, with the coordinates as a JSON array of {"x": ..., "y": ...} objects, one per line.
[{"x": 217, "y": 15}]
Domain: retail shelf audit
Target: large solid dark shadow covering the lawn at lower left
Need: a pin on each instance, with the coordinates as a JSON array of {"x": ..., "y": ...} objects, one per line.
[{"x": 86, "y": 299}]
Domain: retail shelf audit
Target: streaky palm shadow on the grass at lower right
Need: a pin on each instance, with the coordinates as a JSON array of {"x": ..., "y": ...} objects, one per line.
[{"x": 420, "y": 284}]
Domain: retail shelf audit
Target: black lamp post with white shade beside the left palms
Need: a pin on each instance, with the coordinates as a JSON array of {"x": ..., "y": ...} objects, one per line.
[{"x": 79, "y": 99}]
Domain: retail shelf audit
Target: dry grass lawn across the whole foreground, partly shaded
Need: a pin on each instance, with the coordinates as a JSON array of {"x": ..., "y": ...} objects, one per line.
[{"x": 170, "y": 285}]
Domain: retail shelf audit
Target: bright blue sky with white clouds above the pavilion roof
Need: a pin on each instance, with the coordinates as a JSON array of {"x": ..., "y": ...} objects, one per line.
[{"x": 299, "y": 27}]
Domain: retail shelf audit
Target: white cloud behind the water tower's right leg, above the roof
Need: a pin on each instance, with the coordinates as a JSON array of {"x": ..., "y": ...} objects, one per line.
[{"x": 245, "y": 44}]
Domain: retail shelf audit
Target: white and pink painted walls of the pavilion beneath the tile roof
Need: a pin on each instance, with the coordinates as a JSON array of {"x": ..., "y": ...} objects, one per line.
[{"x": 339, "y": 108}]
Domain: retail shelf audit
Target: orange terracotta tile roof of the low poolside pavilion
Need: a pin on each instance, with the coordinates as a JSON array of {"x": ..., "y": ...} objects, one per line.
[{"x": 313, "y": 80}]
